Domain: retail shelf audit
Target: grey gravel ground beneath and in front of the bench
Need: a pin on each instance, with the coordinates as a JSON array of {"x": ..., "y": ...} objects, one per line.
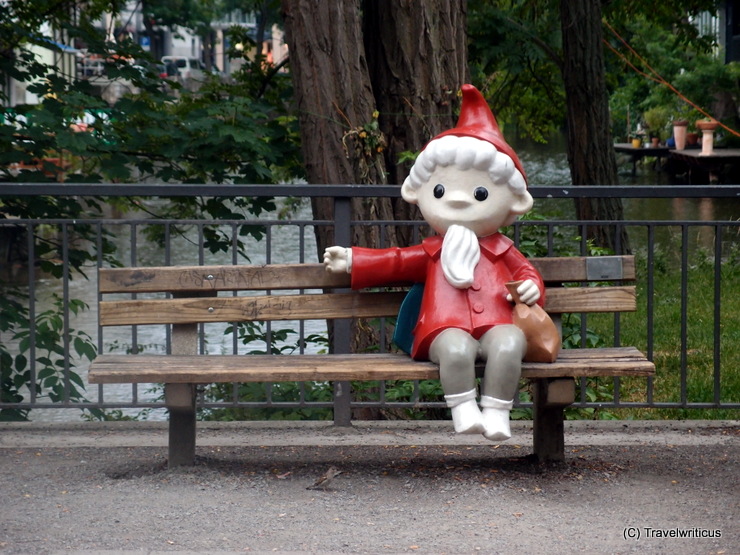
[{"x": 418, "y": 495}]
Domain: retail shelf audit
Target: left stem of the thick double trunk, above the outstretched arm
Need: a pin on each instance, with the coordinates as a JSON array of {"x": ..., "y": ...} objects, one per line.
[{"x": 336, "y": 105}]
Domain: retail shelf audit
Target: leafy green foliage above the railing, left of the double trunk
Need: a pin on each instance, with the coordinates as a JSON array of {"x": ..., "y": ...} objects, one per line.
[{"x": 238, "y": 131}]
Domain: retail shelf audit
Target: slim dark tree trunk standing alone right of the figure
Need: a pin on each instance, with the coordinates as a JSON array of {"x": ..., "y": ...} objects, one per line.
[{"x": 590, "y": 150}]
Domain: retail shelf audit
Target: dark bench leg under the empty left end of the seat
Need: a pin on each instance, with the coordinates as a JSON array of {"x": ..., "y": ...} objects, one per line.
[{"x": 180, "y": 399}]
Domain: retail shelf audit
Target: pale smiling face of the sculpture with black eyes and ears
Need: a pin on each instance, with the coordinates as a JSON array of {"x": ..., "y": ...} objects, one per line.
[{"x": 466, "y": 197}]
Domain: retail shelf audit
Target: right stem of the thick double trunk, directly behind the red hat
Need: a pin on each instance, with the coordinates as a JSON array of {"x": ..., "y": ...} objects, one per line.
[{"x": 417, "y": 58}]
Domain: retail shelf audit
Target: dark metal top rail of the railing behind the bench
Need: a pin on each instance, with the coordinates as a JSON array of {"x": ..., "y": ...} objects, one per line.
[{"x": 348, "y": 191}]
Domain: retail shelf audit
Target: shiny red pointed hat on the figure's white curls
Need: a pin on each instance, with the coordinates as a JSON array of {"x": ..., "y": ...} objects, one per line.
[{"x": 476, "y": 120}]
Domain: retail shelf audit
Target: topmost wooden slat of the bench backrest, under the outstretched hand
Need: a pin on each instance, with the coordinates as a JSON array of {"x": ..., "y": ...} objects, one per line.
[{"x": 305, "y": 276}]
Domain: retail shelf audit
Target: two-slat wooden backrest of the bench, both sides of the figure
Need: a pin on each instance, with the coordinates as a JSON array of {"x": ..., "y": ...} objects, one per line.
[{"x": 307, "y": 291}]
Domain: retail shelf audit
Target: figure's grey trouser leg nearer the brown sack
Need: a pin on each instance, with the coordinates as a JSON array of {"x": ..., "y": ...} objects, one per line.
[{"x": 503, "y": 349}]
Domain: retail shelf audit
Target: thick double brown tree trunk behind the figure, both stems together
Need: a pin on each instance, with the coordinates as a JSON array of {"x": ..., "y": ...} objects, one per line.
[{"x": 372, "y": 79}]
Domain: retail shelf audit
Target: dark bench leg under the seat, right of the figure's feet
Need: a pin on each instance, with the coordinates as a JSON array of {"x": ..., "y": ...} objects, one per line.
[{"x": 551, "y": 396}]
